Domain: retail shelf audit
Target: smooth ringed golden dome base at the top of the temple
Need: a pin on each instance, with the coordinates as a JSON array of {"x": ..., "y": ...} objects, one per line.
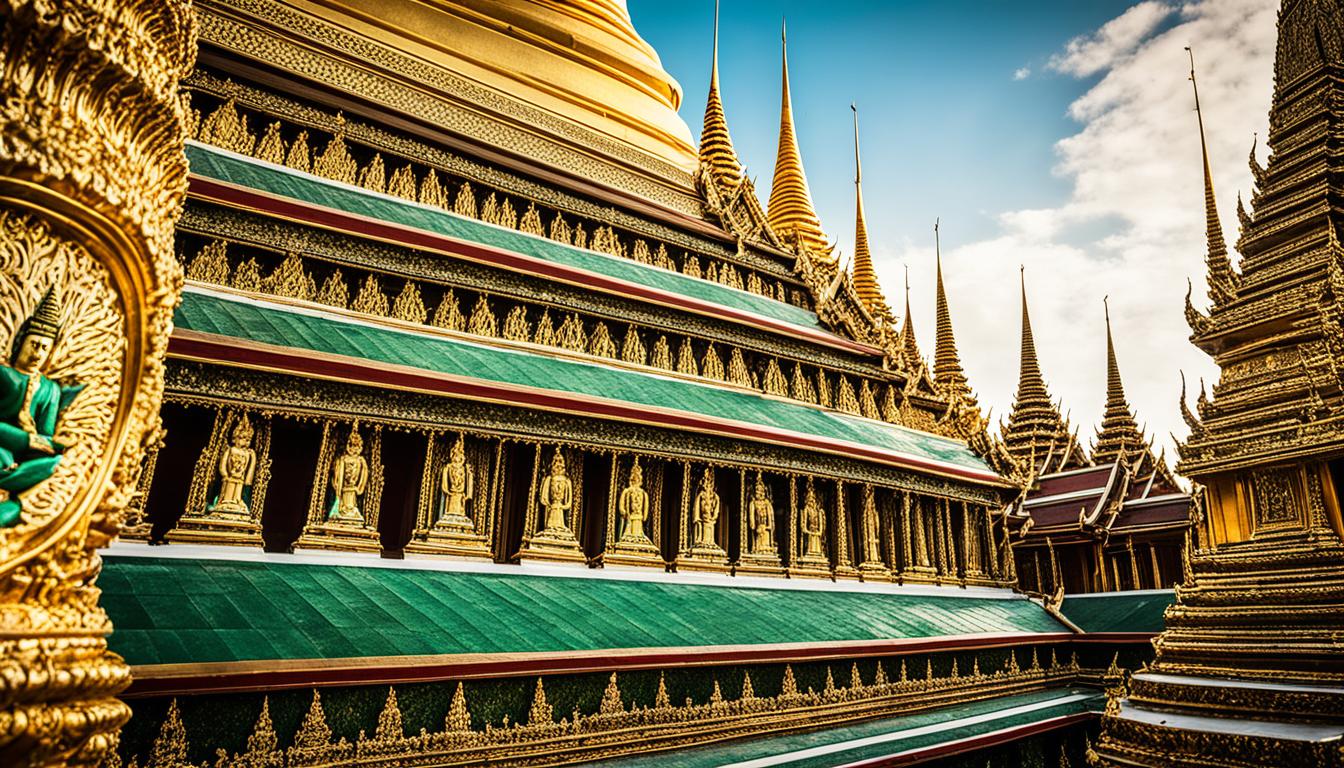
[{"x": 580, "y": 60}]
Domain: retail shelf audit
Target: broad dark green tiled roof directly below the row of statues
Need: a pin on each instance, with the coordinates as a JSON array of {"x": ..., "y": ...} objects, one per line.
[{"x": 179, "y": 610}]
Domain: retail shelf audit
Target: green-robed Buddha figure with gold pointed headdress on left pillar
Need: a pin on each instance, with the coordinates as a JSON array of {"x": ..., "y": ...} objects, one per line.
[{"x": 30, "y": 406}]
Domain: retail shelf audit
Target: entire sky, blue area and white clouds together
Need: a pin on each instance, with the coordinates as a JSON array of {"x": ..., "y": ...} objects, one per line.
[{"x": 1053, "y": 135}]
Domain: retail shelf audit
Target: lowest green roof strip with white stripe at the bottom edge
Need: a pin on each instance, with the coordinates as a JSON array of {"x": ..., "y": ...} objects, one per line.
[{"x": 880, "y": 739}]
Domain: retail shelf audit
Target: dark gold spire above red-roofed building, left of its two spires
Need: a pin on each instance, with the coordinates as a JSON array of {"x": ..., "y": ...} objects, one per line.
[{"x": 1037, "y": 435}]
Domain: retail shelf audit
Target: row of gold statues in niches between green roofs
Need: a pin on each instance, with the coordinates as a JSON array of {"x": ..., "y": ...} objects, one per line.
[{"x": 456, "y": 516}]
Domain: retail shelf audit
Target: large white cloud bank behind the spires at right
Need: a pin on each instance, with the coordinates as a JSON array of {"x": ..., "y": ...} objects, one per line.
[{"x": 1134, "y": 227}]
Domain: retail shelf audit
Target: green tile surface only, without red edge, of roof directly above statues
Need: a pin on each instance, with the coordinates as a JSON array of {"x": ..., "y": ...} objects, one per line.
[{"x": 274, "y": 325}]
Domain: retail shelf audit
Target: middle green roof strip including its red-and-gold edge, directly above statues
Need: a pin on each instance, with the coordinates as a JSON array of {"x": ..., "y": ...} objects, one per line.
[{"x": 296, "y": 337}]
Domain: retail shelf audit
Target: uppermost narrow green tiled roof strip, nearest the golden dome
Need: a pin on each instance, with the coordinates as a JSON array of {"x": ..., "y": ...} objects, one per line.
[{"x": 279, "y": 181}]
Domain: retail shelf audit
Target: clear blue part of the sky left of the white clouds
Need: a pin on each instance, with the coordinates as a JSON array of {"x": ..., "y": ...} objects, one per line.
[{"x": 947, "y": 131}]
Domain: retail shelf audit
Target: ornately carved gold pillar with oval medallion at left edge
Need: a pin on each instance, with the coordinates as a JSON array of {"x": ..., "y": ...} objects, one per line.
[{"x": 92, "y": 178}]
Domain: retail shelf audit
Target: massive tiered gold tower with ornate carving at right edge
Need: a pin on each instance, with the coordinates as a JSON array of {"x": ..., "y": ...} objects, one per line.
[{"x": 1251, "y": 670}]
